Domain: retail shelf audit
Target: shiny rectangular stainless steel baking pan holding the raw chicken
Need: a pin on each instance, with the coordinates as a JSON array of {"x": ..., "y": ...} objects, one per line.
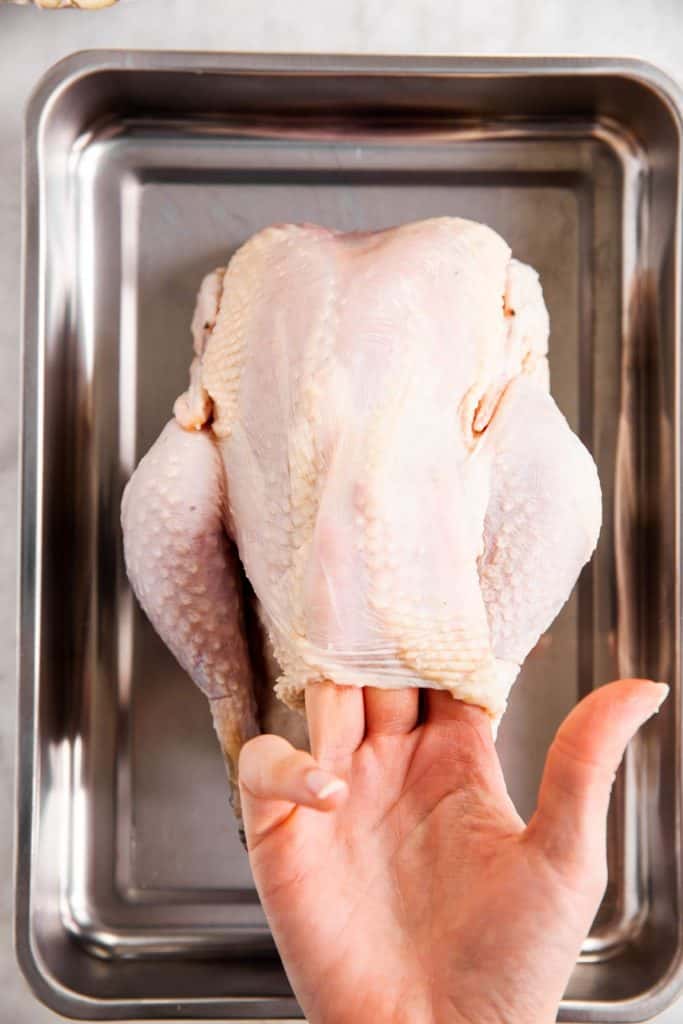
[{"x": 144, "y": 170}]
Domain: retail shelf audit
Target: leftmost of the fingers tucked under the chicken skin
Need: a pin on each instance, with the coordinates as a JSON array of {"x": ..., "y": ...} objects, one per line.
[{"x": 336, "y": 720}]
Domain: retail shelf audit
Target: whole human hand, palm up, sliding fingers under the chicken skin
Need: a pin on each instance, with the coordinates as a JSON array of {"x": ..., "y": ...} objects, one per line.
[{"x": 410, "y": 890}]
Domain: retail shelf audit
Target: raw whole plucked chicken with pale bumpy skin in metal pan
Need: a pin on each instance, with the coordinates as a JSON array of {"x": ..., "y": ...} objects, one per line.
[{"x": 369, "y": 432}]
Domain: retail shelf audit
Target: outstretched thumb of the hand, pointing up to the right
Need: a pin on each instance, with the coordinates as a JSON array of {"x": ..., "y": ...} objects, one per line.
[{"x": 582, "y": 762}]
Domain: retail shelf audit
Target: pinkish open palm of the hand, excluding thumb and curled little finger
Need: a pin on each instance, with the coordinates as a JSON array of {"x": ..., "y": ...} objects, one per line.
[{"x": 423, "y": 897}]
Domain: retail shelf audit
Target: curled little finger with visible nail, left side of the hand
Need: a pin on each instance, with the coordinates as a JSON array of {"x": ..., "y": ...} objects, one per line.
[{"x": 275, "y": 779}]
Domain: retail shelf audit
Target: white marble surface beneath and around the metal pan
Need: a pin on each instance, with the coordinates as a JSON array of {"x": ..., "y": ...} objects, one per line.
[{"x": 32, "y": 40}]
